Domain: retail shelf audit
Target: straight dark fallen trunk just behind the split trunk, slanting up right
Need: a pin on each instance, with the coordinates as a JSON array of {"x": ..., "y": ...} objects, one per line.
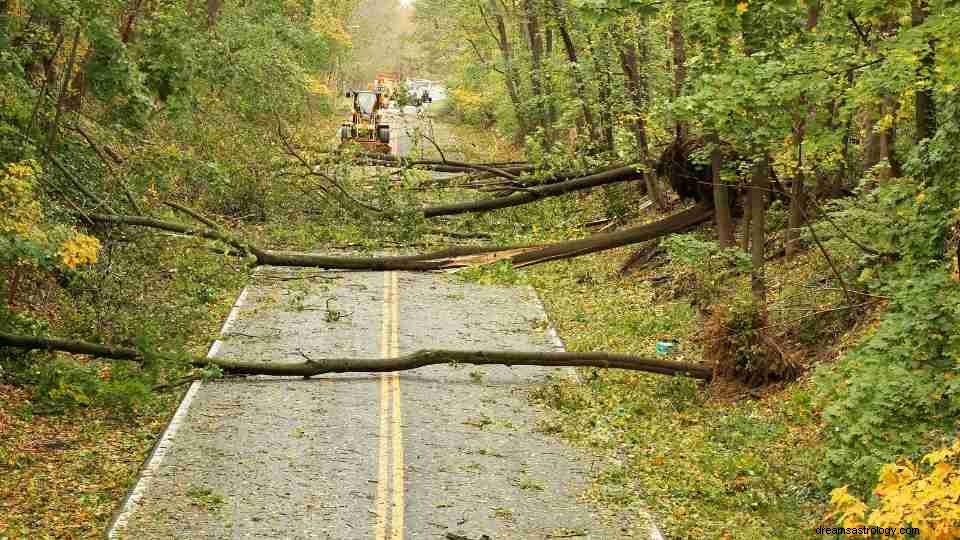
[{"x": 612, "y": 176}]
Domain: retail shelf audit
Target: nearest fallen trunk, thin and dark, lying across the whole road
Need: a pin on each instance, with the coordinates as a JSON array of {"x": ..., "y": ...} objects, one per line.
[{"x": 418, "y": 359}]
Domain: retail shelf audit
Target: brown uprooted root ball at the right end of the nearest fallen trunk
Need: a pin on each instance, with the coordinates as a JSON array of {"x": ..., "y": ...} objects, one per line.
[{"x": 740, "y": 347}]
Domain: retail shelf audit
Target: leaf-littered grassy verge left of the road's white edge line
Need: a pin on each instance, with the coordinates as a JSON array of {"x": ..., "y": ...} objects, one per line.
[{"x": 67, "y": 455}]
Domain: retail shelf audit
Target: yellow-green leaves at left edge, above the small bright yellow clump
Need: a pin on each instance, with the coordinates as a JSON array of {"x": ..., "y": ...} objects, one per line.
[{"x": 20, "y": 212}]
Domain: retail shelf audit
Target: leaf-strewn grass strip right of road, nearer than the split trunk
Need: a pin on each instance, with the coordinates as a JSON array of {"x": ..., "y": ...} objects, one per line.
[{"x": 706, "y": 464}]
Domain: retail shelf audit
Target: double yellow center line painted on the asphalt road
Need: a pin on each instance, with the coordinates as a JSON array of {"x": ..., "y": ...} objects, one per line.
[{"x": 389, "y": 505}]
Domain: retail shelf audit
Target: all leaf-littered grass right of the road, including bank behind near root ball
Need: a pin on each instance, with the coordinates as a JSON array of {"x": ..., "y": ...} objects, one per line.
[{"x": 708, "y": 461}]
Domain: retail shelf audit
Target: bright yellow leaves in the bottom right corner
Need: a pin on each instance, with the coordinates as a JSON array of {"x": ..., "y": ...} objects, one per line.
[{"x": 924, "y": 495}]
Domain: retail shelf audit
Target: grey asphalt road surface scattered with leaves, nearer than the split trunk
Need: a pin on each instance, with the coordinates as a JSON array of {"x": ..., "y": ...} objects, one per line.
[{"x": 418, "y": 455}]
